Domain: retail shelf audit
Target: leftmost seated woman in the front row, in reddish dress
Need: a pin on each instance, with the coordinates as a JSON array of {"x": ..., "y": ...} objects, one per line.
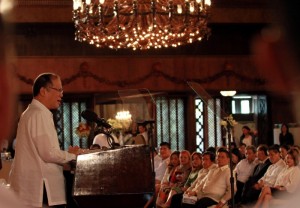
[{"x": 168, "y": 179}]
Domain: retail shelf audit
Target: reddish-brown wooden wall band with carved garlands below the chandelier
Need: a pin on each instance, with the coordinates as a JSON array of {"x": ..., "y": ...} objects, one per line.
[{"x": 155, "y": 73}]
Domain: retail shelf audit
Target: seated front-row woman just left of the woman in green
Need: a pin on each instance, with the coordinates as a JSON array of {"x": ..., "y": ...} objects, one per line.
[{"x": 182, "y": 173}]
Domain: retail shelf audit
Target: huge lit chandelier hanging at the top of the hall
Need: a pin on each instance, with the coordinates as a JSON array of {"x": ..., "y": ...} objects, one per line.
[{"x": 140, "y": 24}]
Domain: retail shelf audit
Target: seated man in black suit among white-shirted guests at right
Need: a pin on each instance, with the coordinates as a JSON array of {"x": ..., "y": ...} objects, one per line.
[{"x": 250, "y": 194}]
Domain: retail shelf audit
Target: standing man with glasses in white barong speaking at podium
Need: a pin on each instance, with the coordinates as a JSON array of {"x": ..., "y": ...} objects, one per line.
[{"x": 37, "y": 171}]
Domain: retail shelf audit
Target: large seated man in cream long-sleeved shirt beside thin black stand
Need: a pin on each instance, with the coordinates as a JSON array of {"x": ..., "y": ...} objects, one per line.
[{"x": 215, "y": 188}]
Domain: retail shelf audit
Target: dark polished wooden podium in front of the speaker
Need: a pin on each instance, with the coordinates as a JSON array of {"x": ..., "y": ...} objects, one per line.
[{"x": 114, "y": 178}]
